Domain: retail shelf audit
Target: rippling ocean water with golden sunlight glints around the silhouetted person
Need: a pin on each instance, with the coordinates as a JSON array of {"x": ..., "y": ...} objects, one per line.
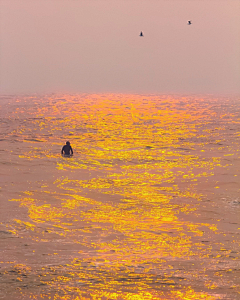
[{"x": 148, "y": 207}]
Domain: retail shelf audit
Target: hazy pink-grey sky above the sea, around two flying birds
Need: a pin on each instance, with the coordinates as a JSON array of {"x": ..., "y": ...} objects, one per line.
[{"x": 94, "y": 46}]
